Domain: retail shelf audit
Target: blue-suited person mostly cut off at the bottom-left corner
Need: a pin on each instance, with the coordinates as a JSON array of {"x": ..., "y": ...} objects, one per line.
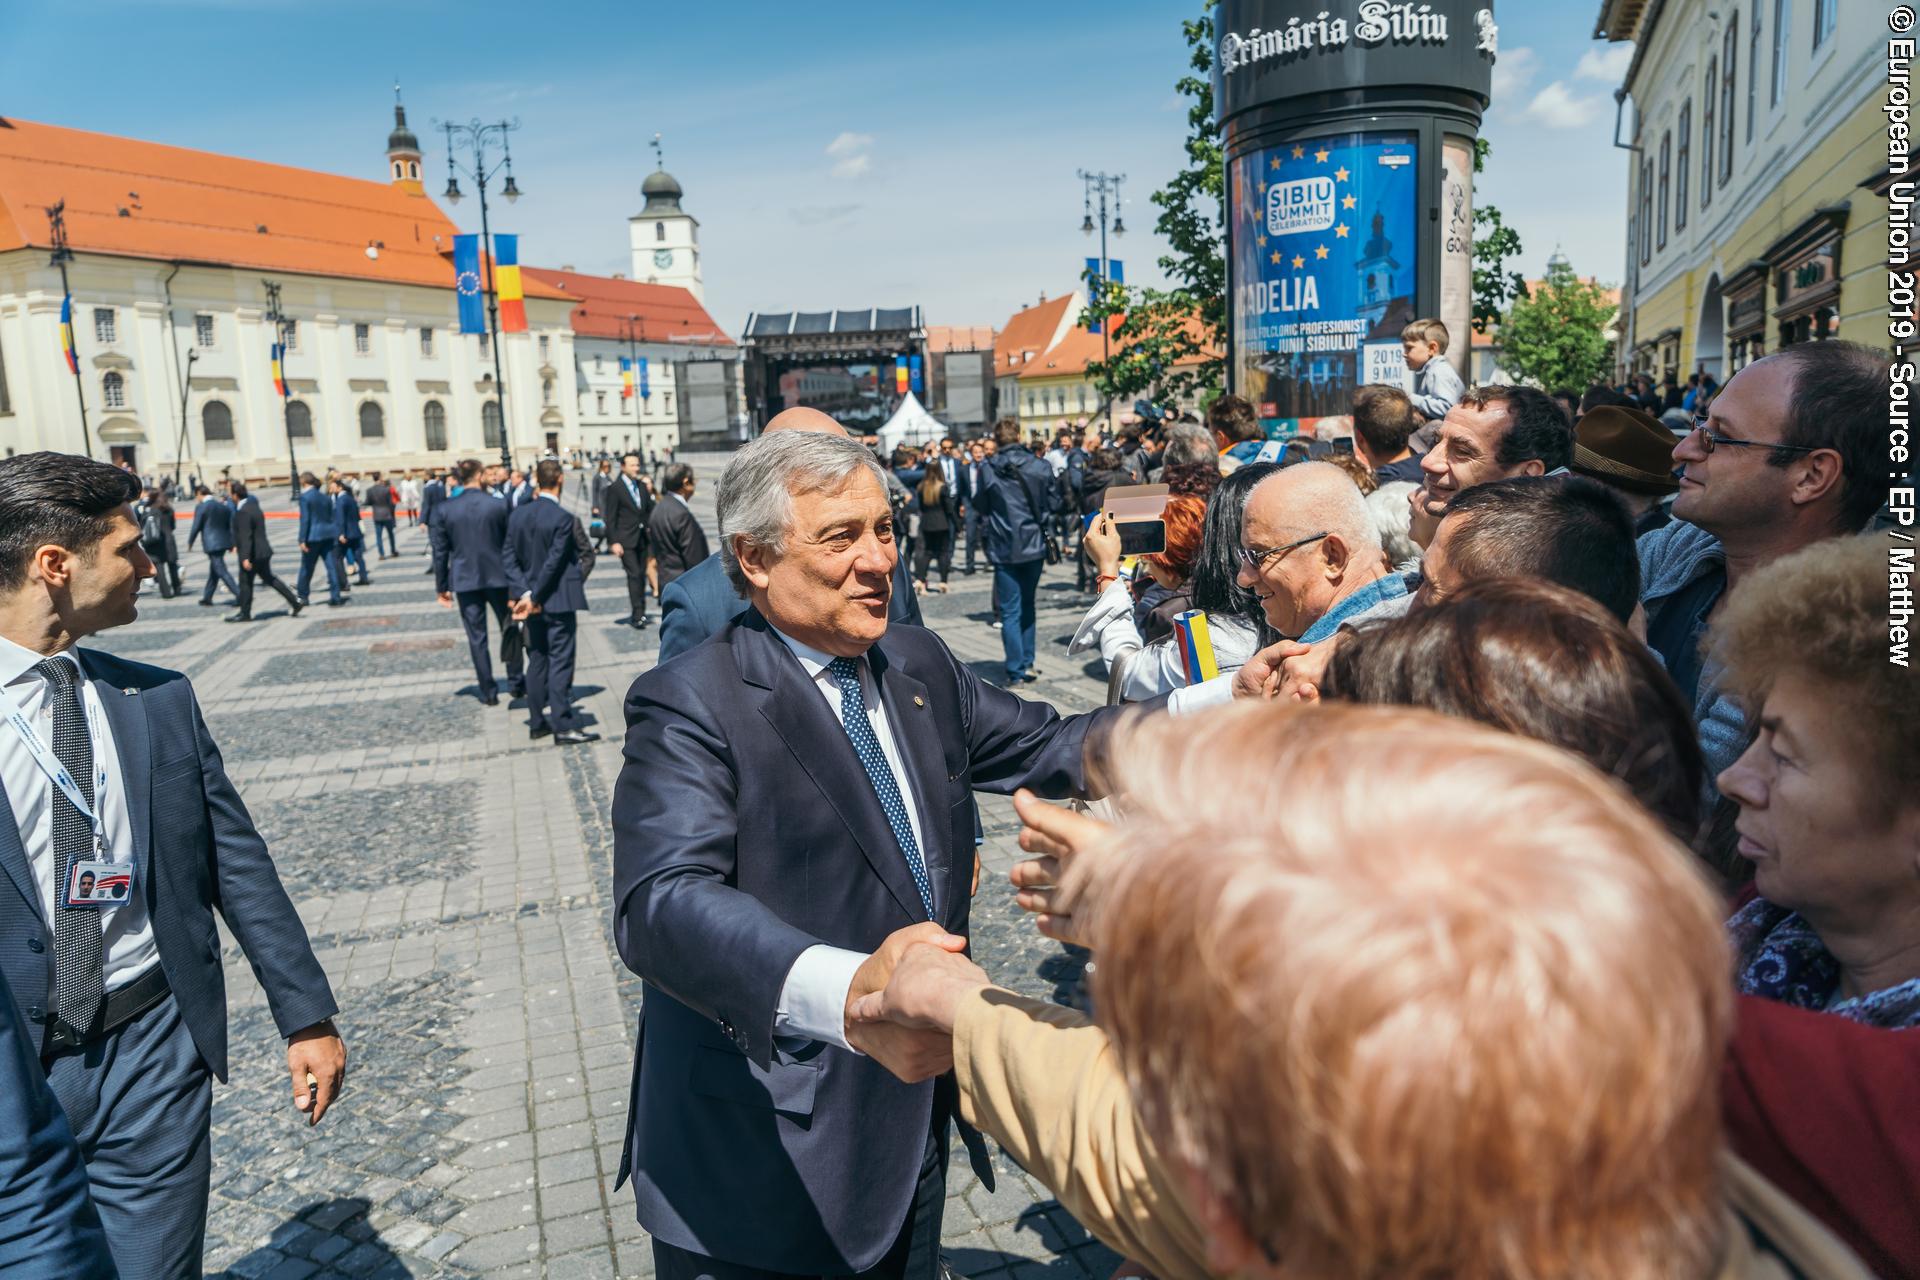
[{"x": 49, "y": 1225}]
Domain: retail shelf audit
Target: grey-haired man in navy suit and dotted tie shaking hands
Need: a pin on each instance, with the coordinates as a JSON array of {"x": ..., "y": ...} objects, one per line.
[{"x": 794, "y": 813}]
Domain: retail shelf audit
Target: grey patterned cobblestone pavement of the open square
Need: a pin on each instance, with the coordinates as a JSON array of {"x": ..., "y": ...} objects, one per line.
[{"x": 456, "y": 884}]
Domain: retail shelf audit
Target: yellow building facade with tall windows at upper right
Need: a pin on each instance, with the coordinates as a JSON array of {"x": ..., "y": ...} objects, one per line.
[{"x": 1756, "y": 185}]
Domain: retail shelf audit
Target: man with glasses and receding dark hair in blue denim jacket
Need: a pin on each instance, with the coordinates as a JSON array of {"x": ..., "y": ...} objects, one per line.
[{"x": 1790, "y": 452}]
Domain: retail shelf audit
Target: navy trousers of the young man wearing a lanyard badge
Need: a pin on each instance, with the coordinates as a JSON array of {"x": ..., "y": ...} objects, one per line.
[{"x": 141, "y": 1102}]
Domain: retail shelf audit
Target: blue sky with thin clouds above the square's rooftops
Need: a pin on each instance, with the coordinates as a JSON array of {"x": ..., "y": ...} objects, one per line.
[{"x": 836, "y": 156}]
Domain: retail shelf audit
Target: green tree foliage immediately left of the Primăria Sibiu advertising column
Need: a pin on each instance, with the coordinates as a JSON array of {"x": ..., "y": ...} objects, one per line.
[{"x": 1188, "y": 321}]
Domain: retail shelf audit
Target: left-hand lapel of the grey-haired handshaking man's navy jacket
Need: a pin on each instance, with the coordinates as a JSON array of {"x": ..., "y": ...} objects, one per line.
[{"x": 804, "y": 721}]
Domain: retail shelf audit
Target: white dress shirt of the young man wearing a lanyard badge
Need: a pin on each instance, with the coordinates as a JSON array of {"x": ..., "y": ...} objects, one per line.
[{"x": 130, "y": 936}]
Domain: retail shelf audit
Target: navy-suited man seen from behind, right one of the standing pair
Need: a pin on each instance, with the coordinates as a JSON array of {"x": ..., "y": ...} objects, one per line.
[{"x": 548, "y": 592}]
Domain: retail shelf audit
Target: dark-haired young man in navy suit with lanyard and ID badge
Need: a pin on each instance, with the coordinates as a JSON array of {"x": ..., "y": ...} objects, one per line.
[{"x": 110, "y": 761}]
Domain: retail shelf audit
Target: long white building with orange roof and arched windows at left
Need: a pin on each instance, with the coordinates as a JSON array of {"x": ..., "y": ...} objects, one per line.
[{"x": 172, "y": 252}]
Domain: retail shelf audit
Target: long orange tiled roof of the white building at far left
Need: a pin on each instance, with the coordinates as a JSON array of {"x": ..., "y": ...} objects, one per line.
[{"x": 135, "y": 199}]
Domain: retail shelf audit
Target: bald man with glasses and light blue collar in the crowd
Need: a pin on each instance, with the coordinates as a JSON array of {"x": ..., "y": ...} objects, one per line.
[{"x": 1314, "y": 557}]
